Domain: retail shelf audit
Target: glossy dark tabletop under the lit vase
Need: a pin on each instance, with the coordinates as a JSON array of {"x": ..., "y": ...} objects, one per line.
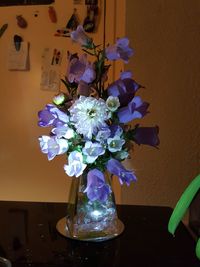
[{"x": 28, "y": 237}]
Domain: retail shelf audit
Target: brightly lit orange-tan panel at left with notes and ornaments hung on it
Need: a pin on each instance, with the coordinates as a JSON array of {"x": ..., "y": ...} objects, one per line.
[{"x": 25, "y": 173}]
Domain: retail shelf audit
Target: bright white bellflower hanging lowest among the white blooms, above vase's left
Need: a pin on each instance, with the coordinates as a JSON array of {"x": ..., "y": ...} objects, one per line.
[{"x": 75, "y": 165}]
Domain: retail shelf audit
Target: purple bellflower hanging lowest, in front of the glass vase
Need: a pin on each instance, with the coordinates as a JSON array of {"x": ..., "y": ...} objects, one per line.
[{"x": 96, "y": 188}]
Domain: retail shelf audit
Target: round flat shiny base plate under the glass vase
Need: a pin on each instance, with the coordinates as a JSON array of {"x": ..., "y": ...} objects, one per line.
[{"x": 62, "y": 228}]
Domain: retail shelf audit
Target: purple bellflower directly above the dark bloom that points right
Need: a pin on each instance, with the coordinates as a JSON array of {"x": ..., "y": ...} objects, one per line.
[{"x": 136, "y": 109}]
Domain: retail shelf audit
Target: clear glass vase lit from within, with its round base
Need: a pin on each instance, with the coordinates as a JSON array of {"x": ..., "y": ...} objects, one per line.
[{"x": 89, "y": 220}]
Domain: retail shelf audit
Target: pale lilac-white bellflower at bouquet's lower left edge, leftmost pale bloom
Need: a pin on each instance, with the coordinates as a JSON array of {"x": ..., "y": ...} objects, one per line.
[{"x": 52, "y": 146}]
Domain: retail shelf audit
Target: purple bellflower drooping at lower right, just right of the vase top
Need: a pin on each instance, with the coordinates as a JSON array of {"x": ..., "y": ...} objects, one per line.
[{"x": 116, "y": 168}]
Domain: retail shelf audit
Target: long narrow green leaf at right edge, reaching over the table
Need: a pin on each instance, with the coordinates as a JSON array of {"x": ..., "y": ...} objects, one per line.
[{"x": 183, "y": 204}]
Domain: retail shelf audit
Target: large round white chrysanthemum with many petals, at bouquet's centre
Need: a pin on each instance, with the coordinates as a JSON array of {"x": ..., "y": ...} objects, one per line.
[{"x": 88, "y": 114}]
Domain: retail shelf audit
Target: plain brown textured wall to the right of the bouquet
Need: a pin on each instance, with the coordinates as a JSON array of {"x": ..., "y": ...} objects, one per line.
[{"x": 166, "y": 39}]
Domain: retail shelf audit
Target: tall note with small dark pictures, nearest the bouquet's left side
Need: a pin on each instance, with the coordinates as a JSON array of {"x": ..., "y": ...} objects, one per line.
[{"x": 50, "y": 75}]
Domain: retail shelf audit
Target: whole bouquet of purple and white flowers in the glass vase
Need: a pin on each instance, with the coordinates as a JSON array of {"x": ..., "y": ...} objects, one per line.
[{"x": 90, "y": 121}]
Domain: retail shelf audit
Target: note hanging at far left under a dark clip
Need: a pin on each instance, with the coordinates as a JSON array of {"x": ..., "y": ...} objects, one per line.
[{"x": 18, "y": 59}]
